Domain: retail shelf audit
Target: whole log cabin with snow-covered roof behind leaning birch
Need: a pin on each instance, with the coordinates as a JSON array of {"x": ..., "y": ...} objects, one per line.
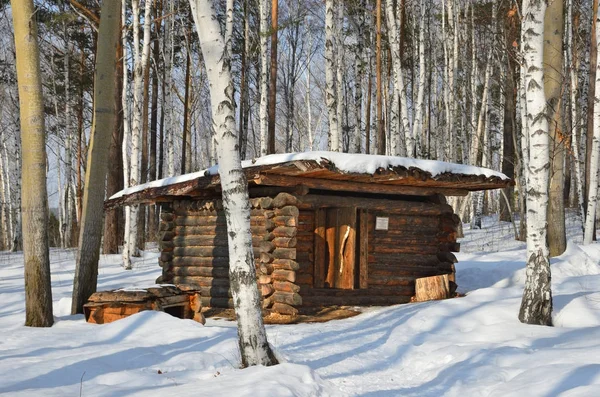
[{"x": 327, "y": 228}]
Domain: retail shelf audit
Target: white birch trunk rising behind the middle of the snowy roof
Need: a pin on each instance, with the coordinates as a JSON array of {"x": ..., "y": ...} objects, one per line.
[{"x": 330, "y": 77}]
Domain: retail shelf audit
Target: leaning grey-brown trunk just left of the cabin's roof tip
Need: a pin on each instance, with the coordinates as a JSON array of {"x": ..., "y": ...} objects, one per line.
[{"x": 90, "y": 232}]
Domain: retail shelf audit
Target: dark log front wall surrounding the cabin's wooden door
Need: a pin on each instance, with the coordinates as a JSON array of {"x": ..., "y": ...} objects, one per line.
[{"x": 416, "y": 244}]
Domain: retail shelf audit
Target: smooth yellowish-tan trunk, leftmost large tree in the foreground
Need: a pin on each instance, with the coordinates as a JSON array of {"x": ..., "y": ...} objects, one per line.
[{"x": 34, "y": 201}]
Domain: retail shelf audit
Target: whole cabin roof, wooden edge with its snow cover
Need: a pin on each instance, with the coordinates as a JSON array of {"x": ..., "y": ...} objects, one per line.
[{"x": 360, "y": 168}]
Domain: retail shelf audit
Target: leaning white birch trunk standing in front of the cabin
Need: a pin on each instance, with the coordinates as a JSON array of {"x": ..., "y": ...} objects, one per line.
[{"x": 253, "y": 343}]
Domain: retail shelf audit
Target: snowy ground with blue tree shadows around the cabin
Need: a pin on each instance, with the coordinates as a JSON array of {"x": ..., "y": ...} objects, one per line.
[{"x": 471, "y": 346}]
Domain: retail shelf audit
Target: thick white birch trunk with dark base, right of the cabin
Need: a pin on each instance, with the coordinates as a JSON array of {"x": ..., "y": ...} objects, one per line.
[{"x": 536, "y": 305}]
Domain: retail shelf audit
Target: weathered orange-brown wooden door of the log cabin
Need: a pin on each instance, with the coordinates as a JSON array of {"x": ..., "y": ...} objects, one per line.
[{"x": 335, "y": 248}]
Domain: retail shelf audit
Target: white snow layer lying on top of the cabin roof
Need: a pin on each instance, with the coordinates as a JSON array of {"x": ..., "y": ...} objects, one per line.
[{"x": 345, "y": 162}]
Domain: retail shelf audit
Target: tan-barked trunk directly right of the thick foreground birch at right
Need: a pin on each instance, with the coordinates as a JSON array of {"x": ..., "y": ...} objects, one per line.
[{"x": 553, "y": 68}]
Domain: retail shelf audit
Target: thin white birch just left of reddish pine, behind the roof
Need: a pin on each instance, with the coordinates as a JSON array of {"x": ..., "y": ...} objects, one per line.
[{"x": 264, "y": 74}]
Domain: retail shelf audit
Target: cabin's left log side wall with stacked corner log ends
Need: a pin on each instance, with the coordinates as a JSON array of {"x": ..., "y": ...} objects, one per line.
[{"x": 194, "y": 250}]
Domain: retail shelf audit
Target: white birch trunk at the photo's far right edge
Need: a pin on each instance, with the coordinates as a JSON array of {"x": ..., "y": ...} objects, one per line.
[{"x": 594, "y": 161}]
